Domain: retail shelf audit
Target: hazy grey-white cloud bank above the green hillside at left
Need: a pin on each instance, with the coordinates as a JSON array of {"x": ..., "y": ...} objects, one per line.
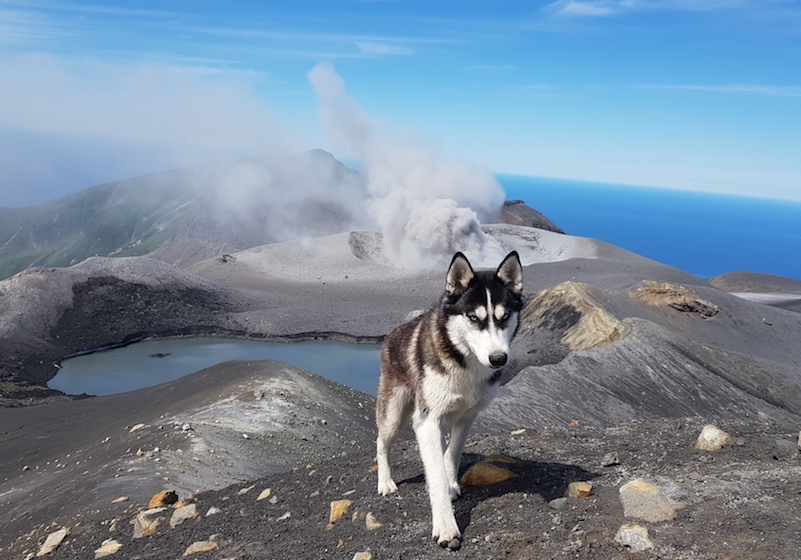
[{"x": 68, "y": 124}]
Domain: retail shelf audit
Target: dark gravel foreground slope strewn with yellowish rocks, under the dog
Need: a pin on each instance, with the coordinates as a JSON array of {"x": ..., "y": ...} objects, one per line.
[{"x": 739, "y": 502}]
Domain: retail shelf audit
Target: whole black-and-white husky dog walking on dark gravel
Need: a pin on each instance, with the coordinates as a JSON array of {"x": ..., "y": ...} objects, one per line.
[{"x": 441, "y": 369}]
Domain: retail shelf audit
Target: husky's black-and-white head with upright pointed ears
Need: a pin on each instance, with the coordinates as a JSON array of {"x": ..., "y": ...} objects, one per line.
[{"x": 483, "y": 308}]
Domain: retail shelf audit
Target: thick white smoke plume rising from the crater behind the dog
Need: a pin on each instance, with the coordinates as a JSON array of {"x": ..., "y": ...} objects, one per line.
[{"x": 426, "y": 206}]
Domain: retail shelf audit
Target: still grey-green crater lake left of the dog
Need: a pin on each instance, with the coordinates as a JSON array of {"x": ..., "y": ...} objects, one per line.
[{"x": 149, "y": 363}]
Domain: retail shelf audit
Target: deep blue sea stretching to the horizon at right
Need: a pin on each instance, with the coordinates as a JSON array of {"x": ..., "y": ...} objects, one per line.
[{"x": 705, "y": 234}]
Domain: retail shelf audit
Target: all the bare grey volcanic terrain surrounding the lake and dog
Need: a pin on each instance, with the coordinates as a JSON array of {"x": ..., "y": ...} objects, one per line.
[{"x": 616, "y": 354}]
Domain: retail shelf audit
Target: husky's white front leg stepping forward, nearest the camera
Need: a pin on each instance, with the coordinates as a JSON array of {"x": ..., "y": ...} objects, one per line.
[{"x": 431, "y": 441}]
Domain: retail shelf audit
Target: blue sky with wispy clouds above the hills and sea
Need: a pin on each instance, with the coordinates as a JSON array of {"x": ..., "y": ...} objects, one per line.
[{"x": 687, "y": 94}]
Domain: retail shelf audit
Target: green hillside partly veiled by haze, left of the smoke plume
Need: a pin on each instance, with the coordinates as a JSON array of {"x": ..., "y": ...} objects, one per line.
[{"x": 183, "y": 209}]
